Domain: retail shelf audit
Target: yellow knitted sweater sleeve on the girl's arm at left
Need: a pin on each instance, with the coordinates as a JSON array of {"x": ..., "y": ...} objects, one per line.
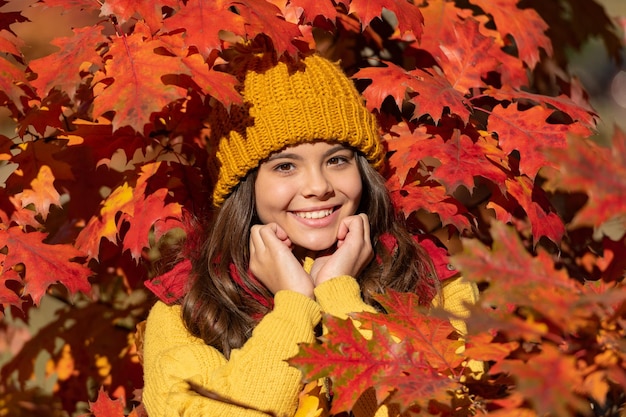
[{"x": 255, "y": 375}]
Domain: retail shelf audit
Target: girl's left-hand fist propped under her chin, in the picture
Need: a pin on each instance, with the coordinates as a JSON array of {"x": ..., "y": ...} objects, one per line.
[{"x": 273, "y": 263}]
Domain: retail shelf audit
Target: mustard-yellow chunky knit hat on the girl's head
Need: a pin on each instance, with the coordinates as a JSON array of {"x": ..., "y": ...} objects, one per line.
[{"x": 288, "y": 105}]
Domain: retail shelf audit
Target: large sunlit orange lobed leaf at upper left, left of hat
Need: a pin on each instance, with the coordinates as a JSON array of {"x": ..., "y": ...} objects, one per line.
[{"x": 137, "y": 90}]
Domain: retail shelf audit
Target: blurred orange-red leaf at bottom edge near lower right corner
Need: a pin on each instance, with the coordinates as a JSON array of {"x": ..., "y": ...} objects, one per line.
[{"x": 549, "y": 396}]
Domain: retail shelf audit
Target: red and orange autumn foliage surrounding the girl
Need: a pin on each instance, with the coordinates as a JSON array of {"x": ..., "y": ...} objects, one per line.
[{"x": 489, "y": 139}]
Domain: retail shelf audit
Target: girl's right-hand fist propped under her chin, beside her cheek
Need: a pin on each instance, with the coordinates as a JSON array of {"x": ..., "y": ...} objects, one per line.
[{"x": 354, "y": 251}]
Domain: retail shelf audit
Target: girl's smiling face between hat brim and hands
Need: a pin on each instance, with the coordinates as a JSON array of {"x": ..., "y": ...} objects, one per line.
[{"x": 308, "y": 190}]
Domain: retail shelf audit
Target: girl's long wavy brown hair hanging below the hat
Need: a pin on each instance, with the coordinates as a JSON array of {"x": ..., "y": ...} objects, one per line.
[{"x": 219, "y": 311}]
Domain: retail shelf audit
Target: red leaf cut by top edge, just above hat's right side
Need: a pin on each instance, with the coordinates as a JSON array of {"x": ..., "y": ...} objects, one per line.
[{"x": 410, "y": 19}]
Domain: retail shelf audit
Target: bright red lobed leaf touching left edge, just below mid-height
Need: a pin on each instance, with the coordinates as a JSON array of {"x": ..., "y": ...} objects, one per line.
[{"x": 44, "y": 264}]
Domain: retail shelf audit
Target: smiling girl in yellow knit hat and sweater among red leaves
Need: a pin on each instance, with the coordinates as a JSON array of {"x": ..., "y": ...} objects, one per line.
[{"x": 305, "y": 226}]
